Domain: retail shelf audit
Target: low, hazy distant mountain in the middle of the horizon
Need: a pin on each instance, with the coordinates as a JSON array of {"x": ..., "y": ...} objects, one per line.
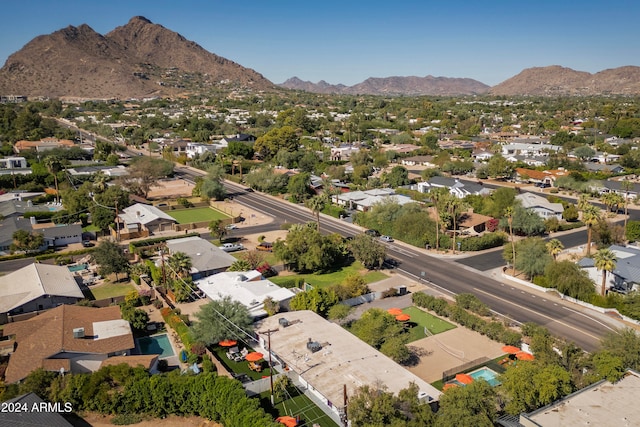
[{"x": 429, "y": 85}]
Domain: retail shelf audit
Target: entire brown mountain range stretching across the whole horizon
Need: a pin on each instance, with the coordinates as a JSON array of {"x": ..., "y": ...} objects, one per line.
[{"x": 142, "y": 59}]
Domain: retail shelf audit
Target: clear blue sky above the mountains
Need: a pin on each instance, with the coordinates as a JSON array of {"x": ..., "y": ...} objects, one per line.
[{"x": 350, "y": 40}]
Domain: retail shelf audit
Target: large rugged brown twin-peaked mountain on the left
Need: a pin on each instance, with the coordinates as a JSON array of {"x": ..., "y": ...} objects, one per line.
[{"x": 135, "y": 60}]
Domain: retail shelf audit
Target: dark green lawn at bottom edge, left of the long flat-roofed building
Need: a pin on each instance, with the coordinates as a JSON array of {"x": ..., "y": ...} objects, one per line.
[{"x": 297, "y": 405}]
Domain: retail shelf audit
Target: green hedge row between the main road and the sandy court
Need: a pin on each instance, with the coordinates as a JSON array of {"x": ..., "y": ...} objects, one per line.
[{"x": 493, "y": 329}]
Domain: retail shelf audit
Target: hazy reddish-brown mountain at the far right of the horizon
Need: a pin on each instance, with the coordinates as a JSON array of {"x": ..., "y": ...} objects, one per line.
[{"x": 560, "y": 81}]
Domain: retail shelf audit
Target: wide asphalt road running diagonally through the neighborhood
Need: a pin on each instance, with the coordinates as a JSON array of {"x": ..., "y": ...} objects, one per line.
[{"x": 453, "y": 277}]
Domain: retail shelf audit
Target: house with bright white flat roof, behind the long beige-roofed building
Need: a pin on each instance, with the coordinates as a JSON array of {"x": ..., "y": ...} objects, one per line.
[{"x": 248, "y": 288}]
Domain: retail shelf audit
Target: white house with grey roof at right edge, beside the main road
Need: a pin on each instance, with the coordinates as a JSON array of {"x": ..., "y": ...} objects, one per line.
[{"x": 625, "y": 277}]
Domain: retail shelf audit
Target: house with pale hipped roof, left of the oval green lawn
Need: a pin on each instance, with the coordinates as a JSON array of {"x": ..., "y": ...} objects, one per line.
[{"x": 140, "y": 220}]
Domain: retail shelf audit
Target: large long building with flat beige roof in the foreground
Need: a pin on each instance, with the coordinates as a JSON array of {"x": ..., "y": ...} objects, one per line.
[{"x": 324, "y": 357}]
